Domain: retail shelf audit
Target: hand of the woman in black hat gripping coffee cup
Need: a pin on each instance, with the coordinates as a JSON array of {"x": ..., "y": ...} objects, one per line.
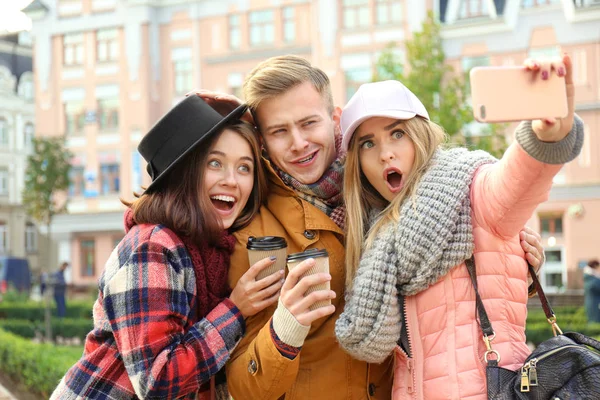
[{"x": 251, "y": 295}]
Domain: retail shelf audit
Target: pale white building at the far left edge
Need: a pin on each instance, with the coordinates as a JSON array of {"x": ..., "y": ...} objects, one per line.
[{"x": 18, "y": 233}]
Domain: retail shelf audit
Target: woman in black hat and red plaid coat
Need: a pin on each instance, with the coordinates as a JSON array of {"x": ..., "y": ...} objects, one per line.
[{"x": 165, "y": 320}]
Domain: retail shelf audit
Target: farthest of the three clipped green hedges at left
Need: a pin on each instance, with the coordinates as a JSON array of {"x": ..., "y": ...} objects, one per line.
[{"x": 34, "y": 311}]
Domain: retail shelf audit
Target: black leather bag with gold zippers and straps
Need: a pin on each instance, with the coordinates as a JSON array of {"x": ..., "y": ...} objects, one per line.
[{"x": 566, "y": 366}]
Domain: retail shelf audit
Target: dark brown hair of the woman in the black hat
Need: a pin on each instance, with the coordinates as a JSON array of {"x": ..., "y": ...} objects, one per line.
[{"x": 181, "y": 202}]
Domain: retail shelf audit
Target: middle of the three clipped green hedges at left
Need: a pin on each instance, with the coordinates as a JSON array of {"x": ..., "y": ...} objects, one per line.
[{"x": 66, "y": 327}]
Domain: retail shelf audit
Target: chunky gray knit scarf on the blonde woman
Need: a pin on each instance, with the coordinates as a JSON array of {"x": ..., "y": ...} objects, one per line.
[{"x": 434, "y": 235}]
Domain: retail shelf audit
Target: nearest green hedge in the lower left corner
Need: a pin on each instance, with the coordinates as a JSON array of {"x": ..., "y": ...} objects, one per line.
[{"x": 38, "y": 366}]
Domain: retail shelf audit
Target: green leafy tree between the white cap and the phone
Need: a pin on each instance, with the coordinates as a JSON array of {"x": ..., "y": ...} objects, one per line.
[{"x": 443, "y": 92}]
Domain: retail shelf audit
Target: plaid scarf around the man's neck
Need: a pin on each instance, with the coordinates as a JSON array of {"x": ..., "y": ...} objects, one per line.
[{"x": 326, "y": 193}]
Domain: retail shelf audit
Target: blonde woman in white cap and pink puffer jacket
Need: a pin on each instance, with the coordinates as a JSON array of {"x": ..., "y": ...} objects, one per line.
[{"x": 415, "y": 213}]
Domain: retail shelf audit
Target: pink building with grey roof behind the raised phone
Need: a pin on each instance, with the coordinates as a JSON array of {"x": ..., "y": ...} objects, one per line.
[{"x": 508, "y": 32}]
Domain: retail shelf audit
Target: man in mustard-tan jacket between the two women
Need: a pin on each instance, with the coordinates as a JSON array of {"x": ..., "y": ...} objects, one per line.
[{"x": 289, "y": 351}]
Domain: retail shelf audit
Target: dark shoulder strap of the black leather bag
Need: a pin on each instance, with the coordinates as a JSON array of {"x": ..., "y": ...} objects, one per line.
[{"x": 484, "y": 321}]
